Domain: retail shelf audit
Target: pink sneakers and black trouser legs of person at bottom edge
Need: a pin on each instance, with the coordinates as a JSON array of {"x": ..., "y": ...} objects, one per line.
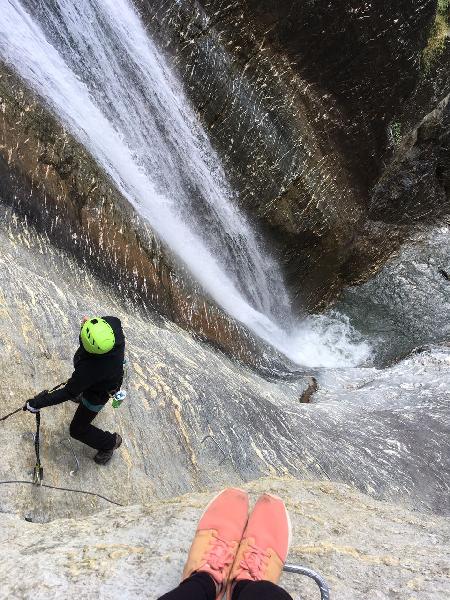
[{"x": 235, "y": 553}]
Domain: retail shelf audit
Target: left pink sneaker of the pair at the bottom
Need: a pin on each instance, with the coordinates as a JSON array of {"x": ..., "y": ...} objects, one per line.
[{"x": 217, "y": 538}]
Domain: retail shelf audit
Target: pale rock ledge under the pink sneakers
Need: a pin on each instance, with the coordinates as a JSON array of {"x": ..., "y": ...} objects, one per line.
[{"x": 364, "y": 548}]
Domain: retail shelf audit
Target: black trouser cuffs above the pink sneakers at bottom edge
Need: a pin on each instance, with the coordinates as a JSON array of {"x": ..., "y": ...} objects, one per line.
[{"x": 200, "y": 586}]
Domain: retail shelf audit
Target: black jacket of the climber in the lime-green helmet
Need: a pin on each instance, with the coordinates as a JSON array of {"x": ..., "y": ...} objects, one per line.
[{"x": 96, "y": 376}]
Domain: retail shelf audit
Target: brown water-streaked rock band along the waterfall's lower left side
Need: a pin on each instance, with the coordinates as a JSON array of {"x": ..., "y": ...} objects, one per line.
[{"x": 46, "y": 175}]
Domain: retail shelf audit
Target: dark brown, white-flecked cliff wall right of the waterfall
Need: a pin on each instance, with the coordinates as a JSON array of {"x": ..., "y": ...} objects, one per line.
[{"x": 307, "y": 103}]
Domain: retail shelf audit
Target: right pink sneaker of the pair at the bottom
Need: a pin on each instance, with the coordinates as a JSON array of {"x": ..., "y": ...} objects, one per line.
[{"x": 265, "y": 544}]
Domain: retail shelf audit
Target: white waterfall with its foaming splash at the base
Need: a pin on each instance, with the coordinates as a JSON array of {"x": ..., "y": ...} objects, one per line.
[{"x": 96, "y": 67}]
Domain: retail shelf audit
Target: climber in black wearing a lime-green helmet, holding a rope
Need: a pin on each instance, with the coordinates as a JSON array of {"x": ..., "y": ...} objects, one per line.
[{"x": 98, "y": 374}]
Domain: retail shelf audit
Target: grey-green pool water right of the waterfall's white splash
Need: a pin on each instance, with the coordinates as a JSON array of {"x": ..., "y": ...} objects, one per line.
[{"x": 405, "y": 306}]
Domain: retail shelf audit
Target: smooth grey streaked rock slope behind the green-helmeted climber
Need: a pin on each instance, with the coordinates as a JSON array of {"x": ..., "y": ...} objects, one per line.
[{"x": 385, "y": 438}]
